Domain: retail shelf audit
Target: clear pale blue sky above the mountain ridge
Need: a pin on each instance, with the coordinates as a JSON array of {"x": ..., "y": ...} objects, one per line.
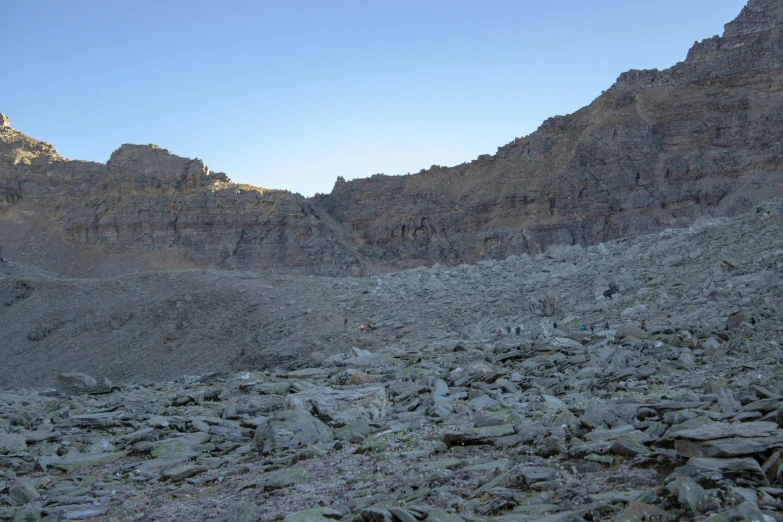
[{"x": 291, "y": 94}]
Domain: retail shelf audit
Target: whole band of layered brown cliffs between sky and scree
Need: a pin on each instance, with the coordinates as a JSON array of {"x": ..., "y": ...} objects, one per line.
[{"x": 656, "y": 150}]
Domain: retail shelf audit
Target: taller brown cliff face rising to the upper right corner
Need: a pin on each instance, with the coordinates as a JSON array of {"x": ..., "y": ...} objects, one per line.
[{"x": 656, "y": 150}]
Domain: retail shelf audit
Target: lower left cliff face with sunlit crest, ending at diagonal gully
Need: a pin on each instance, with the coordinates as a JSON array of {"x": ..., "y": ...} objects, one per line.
[{"x": 85, "y": 218}]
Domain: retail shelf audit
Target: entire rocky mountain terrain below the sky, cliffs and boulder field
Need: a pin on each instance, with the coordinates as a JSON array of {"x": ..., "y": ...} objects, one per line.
[{"x": 577, "y": 378}]
